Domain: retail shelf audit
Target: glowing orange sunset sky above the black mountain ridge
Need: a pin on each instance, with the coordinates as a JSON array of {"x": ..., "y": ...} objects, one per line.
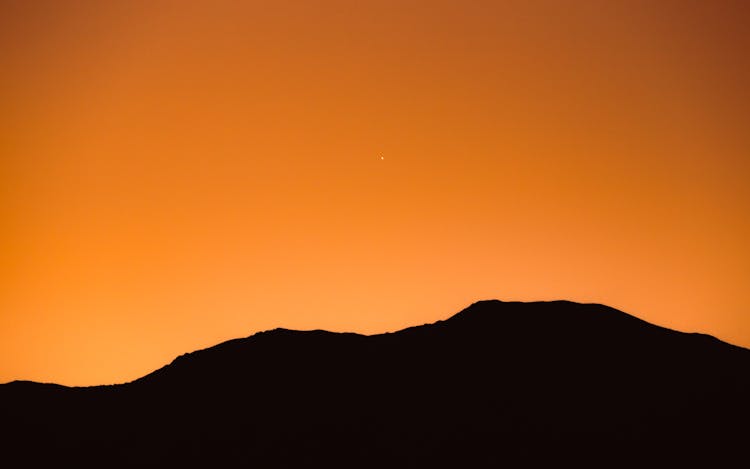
[{"x": 175, "y": 174}]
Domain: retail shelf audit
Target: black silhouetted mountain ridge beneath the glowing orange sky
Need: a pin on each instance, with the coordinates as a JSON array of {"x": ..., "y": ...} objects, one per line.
[{"x": 498, "y": 384}]
